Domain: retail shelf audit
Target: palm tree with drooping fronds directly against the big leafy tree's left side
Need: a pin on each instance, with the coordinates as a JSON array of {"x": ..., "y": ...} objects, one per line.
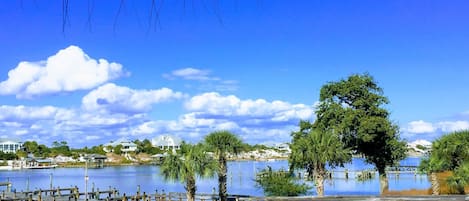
[{"x": 313, "y": 150}]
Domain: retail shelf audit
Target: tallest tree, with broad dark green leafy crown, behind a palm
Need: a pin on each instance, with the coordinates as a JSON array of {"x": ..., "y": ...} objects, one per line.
[{"x": 354, "y": 109}]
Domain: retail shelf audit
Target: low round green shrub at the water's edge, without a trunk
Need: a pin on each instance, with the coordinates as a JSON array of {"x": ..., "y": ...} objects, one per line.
[{"x": 279, "y": 183}]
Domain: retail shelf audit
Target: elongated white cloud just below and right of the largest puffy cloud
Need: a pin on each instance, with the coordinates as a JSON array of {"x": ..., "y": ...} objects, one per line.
[{"x": 118, "y": 99}]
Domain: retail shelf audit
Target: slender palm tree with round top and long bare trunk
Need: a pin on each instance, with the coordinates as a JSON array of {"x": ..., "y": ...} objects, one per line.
[{"x": 222, "y": 143}]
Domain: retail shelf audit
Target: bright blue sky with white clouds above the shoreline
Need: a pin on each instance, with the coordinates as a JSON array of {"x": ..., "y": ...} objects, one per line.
[{"x": 252, "y": 67}]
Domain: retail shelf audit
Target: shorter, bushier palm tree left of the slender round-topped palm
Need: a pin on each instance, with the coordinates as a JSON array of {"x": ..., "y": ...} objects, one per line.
[{"x": 185, "y": 165}]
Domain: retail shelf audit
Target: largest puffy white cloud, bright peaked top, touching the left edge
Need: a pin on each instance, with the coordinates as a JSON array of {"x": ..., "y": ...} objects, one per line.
[{"x": 69, "y": 70}]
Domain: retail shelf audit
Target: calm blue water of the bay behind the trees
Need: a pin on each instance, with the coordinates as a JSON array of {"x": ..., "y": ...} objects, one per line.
[{"x": 240, "y": 179}]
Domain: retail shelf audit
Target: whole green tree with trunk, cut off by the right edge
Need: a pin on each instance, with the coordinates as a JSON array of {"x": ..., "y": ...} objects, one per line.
[{"x": 449, "y": 153}]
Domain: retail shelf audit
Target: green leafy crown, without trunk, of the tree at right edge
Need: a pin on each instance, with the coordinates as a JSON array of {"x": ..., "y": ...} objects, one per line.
[{"x": 448, "y": 153}]
